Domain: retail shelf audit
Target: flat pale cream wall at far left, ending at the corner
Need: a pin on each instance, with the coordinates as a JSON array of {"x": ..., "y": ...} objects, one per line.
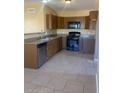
[{"x": 33, "y": 21}]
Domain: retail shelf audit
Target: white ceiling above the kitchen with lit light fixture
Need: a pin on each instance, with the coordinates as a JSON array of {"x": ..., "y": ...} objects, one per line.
[{"x": 60, "y": 5}]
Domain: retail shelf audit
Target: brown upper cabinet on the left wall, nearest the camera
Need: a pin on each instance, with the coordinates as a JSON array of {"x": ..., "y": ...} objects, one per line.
[{"x": 51, "y": 21}]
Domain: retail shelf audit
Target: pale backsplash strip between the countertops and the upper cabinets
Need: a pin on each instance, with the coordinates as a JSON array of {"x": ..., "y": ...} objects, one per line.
[{"x": 84, "y": 32}]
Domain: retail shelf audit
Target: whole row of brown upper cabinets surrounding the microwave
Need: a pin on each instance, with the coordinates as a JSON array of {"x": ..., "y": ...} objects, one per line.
[{"x": 57, "y": 22}]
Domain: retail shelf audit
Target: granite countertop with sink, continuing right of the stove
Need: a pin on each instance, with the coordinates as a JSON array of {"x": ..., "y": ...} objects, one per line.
[{"x": 36, "y": 38}]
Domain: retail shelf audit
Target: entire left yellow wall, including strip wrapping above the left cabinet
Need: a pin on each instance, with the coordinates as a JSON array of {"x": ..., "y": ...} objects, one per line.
[{"x": 36, "y": 22}]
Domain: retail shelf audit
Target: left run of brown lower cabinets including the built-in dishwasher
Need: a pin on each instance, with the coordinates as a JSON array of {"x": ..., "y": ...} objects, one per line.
[{"x": 36, "y": 55}]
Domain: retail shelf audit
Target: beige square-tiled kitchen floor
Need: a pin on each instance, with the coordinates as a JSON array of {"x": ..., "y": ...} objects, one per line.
[{"x": 66, "y": 72}]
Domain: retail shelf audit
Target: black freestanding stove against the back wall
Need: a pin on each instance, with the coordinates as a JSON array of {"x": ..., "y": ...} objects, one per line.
[{"x": 73, "y": 41}]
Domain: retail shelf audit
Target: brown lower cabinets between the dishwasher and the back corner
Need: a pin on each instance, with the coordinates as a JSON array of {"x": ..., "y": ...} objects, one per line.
[{"x": 53, "y": 47}]
